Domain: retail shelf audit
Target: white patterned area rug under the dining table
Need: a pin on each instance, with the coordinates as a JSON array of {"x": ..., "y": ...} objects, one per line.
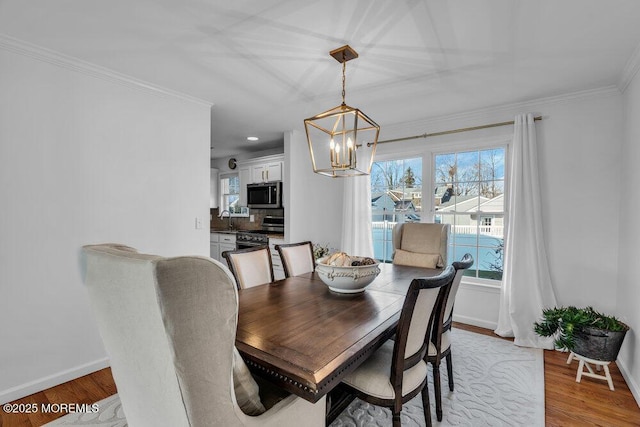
[{"x": 496, "y": 384}]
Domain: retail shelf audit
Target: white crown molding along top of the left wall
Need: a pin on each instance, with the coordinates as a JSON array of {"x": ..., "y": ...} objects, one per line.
[{"x": 58, "y": 59}]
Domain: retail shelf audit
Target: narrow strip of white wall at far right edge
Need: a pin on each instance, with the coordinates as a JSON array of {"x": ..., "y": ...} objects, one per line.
[{"x": 628, "y": 295}]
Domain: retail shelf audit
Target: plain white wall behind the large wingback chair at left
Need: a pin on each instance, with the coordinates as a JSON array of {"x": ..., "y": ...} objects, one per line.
[{"x": 85, "y": 158}]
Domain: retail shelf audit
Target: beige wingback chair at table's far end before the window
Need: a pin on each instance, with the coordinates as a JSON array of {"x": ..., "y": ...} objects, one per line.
[{"x": 420, "y": 244}]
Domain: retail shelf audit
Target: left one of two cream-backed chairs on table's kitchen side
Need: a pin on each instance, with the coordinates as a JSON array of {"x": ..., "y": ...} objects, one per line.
[{"x": 251, "y": 267}]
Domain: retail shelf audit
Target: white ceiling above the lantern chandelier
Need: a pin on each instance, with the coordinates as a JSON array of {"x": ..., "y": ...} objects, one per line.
[{"x": 265, "y": 63}]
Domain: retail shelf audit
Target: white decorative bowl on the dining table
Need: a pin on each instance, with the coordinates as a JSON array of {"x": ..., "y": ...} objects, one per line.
[{"x": 347, "y": 279}]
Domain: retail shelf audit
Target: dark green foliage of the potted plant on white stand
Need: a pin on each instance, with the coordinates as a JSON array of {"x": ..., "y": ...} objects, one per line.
[{"x": 565, "y": 323}]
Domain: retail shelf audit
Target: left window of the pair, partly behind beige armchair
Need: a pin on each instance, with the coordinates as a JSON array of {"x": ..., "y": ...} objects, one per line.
[{"x": 396, "y": 196}]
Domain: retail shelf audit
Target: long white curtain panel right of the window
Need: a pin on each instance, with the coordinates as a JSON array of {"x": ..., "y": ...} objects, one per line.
[{"x": 526, "y": 282}]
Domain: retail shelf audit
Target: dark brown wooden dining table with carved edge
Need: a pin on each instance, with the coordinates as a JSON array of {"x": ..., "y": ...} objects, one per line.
[{"x": 305, "y": 338}]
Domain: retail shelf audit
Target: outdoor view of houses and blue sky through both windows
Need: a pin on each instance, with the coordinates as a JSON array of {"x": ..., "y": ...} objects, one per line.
[{"x": 469, "y": 195}]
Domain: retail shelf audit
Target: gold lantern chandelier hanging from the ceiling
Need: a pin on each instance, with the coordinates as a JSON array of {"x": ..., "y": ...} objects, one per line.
[{"x": 333, "y": 136}]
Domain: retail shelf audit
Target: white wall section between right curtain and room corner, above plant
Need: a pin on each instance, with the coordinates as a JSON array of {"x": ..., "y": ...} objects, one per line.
[{"x": 580, "y": 155}]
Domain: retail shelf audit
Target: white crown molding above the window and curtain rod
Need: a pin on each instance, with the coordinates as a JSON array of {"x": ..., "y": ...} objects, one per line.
[{"x": 506, "y": 110}]
